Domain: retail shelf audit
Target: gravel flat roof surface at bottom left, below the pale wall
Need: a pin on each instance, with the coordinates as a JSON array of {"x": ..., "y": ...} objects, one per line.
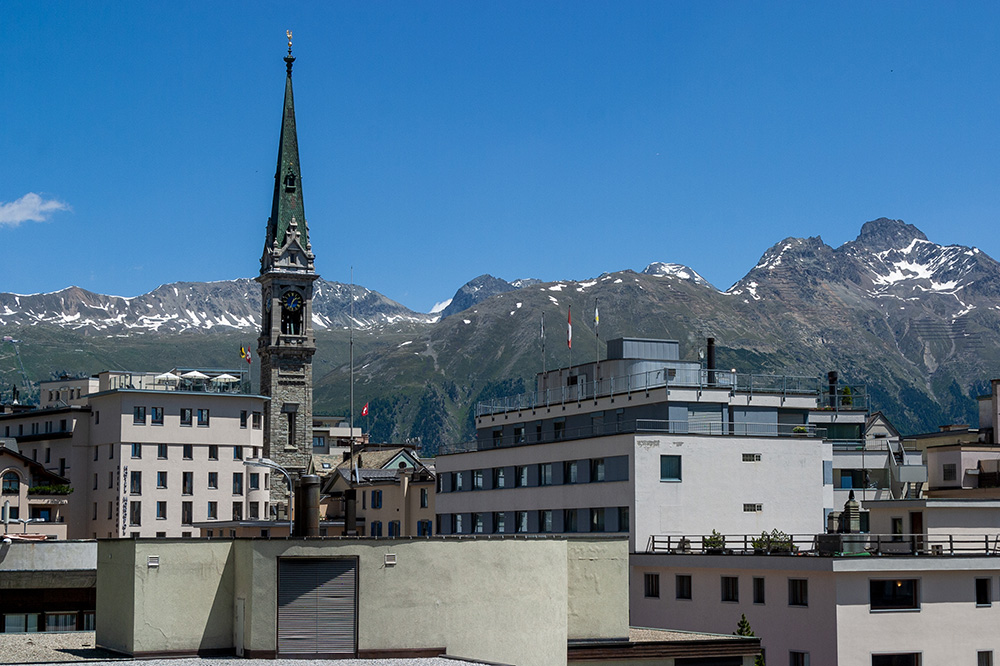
[{"x": 51, "y": 648}]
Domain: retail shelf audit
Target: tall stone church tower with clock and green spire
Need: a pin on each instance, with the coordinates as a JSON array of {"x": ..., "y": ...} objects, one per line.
[{"x": 286, "y": 344}]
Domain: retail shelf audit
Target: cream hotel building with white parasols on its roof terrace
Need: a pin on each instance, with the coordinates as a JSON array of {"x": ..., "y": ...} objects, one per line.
[{"x": 148, "y": 454}]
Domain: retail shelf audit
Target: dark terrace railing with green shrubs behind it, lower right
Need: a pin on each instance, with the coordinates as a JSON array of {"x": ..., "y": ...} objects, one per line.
[{"x": 818, "y": 544}]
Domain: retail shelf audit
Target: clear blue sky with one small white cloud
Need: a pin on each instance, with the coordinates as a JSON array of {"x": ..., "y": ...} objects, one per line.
[{"x": 442, "y": 140}]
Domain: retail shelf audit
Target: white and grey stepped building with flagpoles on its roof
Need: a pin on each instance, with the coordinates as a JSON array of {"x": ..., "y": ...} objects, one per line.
[{"x": 646, "y": 443}]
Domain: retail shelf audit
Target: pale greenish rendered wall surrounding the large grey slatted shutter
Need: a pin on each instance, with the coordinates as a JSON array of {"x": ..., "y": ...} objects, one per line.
[{"x": 513, "y": 601}]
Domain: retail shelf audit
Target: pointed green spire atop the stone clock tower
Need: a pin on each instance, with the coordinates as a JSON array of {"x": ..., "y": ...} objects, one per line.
[{"x": 287, "y": 202}]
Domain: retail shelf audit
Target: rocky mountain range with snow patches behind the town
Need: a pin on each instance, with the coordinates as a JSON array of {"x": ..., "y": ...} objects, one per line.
[{"x": 914, "y": 320}]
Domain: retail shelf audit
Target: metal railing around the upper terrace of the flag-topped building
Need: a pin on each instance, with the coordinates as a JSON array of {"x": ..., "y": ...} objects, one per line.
[{"x": 852, "y": 398}]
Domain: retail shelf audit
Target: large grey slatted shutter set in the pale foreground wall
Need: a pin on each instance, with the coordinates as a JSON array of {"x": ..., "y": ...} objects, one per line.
[{"x": 317, "y": 606}]
